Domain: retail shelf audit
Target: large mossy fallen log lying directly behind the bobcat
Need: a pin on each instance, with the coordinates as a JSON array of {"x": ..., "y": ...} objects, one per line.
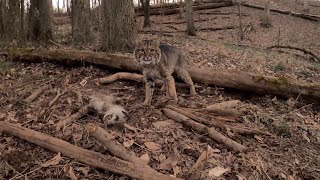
[{"x": 231, "y": 79}]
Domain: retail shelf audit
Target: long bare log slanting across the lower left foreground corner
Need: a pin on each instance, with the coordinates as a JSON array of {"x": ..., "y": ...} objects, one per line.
[{"x": 85, "y": 156}]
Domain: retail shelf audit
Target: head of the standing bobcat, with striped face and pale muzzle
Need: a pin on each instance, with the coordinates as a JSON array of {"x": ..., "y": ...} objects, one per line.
[{"x": 147, "y": 52}]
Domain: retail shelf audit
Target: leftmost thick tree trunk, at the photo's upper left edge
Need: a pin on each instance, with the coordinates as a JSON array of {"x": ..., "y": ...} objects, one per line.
[{"x": 12, "y": 26}]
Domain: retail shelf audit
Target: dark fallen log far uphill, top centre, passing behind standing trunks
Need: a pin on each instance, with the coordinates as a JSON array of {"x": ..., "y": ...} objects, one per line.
[{"x": 195, "y": 8}]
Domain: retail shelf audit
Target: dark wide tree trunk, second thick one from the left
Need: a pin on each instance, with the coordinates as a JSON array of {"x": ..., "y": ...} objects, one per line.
[{"x": 40, "y": 20}]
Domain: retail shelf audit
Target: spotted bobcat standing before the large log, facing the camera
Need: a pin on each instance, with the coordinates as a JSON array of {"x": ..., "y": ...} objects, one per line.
[{"x": 159, "y": 62}]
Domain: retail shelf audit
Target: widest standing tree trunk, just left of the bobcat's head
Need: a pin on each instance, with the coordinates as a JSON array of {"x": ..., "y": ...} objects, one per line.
[{"x": 118, "y": 25}]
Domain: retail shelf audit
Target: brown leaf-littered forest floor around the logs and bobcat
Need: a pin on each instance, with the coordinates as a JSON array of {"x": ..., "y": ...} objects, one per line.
[{"x": 292, "y": 151}]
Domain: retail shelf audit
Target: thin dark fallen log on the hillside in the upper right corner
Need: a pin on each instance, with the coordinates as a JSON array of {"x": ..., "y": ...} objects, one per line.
[{"x": 295, "y": 14}]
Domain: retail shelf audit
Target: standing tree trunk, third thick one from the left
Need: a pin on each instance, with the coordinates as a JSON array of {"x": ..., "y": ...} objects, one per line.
[{"x": 81, "y": 31}]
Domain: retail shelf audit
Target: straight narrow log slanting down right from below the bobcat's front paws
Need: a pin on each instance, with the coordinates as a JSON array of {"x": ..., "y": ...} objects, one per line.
[{"x": 204, "y": 129}]
